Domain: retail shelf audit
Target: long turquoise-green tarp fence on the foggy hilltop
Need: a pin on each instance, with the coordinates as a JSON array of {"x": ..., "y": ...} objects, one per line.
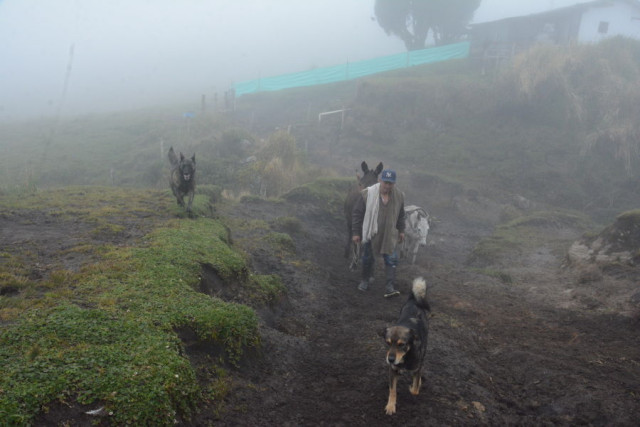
[{"x": 348, "y": 71}]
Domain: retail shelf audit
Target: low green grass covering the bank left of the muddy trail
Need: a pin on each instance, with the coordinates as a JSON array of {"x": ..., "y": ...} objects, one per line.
[{"x": 107, "y": 335}]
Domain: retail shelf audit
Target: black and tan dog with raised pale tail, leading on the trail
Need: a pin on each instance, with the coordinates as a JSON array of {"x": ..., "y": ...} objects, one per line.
[{"x": 407, "y": 341}]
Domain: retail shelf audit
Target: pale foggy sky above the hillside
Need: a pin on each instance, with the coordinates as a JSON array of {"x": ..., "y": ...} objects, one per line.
[{"x": 84, "y": 56}]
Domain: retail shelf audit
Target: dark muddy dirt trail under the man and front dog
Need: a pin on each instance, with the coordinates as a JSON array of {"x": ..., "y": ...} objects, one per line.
[{"x": 531, "y": 350}]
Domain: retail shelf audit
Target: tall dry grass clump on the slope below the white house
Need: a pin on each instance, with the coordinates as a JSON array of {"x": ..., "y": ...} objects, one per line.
[{"x": 594, "y": 88}]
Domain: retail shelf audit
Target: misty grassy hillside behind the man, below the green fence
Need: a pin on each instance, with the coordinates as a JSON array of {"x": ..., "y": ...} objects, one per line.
[{"x": 557, "y": 126}]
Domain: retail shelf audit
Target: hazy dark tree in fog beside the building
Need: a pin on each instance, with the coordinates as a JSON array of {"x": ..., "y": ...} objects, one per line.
[{"x": 413, "y": 20}]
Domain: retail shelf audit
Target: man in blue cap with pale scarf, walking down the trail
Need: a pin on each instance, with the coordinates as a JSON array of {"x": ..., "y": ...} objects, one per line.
[{"x": 378, "y": 223}]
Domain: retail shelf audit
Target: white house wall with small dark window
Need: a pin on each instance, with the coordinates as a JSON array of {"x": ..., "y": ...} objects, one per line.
[{"x": 623, "y": 20}]
